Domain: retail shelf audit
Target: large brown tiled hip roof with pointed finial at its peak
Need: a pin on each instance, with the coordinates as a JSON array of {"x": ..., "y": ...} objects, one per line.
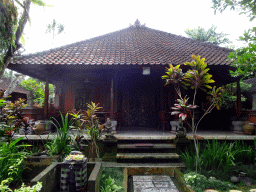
[{"x": 136, "y": 44}]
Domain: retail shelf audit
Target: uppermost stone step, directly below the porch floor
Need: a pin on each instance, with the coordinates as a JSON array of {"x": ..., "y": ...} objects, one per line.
[{"x": 146, "y": 146}]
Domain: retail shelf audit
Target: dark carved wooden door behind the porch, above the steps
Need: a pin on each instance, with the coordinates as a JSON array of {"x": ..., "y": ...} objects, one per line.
[{"x": 138, "y": 103}]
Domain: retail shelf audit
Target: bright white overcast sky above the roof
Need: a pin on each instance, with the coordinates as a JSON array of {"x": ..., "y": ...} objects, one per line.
[{"x": 85, "y": 19}]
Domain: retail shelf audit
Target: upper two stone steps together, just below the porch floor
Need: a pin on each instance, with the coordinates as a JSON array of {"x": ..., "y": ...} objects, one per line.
[{"x": 146, "y": 151}]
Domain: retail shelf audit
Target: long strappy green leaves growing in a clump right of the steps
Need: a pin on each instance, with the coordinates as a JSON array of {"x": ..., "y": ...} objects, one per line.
[{"x": 223, "y": 156}]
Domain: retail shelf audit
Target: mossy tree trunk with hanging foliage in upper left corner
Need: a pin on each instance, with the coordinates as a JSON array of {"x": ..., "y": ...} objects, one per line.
[{"x": 12, "y": 24}]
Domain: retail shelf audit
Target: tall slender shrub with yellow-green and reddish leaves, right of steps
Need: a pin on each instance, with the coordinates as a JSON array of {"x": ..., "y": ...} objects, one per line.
[{"x": 197, "y": 77}]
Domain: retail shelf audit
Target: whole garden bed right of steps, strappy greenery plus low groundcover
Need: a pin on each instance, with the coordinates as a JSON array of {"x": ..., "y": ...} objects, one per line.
[{"x": 219, "y": 161}]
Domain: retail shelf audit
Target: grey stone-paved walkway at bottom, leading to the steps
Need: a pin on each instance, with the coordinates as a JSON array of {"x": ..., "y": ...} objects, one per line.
[{"x": 153, "y": 183}]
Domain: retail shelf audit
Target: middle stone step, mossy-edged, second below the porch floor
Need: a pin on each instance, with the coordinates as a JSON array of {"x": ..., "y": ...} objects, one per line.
[{"x": 138, "y": 156}]
